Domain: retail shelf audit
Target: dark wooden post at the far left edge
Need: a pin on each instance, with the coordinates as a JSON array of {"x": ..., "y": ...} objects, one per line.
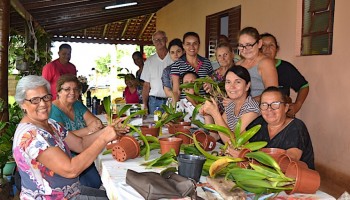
[{"x": 4, "y": 43}]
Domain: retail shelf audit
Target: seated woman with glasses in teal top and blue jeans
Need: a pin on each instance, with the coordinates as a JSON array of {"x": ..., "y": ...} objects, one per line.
[{"x": 75, "y": 117}]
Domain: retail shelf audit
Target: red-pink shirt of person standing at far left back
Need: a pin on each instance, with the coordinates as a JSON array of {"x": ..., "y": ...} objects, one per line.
[{"x": 53, "y": 70}]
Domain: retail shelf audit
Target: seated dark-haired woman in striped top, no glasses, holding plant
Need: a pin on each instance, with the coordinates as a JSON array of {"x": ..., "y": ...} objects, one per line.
[{"x": 242, "y": 105}]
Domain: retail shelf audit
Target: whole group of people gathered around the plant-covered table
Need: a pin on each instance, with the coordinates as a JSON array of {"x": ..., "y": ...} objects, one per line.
[{"x": 58, "y": 138}]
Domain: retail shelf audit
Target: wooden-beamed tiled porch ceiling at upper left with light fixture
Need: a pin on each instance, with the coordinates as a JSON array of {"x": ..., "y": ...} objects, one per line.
[{"x": 88, "y": 21}]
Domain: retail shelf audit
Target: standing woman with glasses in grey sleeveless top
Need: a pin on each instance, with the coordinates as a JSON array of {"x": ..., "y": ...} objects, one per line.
[{"x": 261, "y": 68}]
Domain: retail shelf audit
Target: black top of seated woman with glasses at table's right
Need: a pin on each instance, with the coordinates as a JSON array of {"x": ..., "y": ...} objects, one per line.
[{"x": 294, "y": 135}]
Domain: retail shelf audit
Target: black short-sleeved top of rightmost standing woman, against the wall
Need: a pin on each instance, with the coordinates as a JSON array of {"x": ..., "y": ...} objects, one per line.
[{"x": 289, "y": 77}]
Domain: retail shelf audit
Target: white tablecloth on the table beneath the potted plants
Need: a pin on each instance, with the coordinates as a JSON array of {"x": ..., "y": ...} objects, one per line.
[{"x": 113, "y": 175}]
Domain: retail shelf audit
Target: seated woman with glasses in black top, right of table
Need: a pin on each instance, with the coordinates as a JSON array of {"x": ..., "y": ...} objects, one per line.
[{"x": 281, "y": 131}]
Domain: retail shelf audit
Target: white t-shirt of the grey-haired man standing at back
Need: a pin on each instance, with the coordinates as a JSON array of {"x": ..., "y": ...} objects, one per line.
[{"x": 152, "y": 73}]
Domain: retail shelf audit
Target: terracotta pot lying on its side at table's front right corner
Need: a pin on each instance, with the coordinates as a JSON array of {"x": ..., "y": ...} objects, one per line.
[{"x": 306, "y": 180}]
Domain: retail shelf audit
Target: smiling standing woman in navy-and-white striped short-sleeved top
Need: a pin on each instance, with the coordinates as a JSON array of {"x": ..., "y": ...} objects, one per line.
[{"x": 191, "y": 61}]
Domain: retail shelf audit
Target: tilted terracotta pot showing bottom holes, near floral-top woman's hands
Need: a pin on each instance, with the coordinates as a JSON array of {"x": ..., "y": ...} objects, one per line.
[{"x": 126, "y": 148}]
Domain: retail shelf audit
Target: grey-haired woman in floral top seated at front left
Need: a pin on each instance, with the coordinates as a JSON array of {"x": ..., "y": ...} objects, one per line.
[{"x": 42, "y": 147}]
